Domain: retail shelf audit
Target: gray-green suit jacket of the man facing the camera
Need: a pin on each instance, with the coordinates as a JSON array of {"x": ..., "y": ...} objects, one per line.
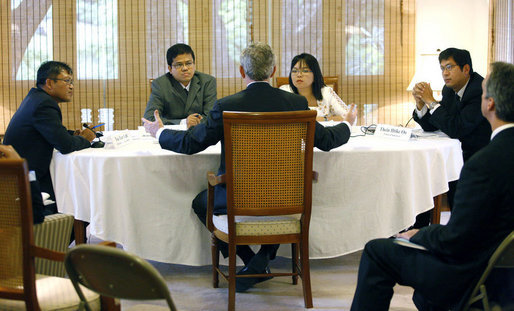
[{"x": 170, "y": 99}]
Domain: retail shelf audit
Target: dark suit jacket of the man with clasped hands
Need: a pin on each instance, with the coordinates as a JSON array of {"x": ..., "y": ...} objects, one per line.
[{"x": 463, "y": 120}]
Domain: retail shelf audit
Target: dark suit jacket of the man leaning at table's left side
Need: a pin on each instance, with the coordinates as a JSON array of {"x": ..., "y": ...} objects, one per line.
[{"x": 35, "y": 130}]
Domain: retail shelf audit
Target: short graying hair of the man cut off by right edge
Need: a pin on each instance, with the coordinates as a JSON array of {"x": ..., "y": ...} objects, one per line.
[{"x": 500, "y": 87}]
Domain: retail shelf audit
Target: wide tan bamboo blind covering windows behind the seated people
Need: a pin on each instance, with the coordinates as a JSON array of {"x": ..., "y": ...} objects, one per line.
[{"x": 216, "y": 30}]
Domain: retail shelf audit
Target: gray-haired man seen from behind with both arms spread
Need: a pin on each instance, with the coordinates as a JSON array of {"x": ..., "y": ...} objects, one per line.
[{"x": 257, "y": 67}]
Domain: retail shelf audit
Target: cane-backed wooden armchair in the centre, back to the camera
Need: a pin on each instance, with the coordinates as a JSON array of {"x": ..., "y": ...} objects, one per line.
[{"x": 269, "y": 176}]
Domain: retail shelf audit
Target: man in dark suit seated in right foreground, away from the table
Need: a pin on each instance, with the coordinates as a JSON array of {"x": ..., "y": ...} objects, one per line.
[{"x": 458, "y": 252}]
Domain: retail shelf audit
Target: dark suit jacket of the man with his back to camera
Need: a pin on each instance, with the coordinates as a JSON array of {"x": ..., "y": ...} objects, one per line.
[{"x": 257, "y": 97}]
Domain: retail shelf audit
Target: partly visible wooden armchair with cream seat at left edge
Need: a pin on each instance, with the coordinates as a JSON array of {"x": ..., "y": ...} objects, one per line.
[{"x": 20, "y": 287}]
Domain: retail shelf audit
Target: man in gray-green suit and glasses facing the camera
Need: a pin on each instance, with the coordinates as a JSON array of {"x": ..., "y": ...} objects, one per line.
[{"x": 183, "y": 92}]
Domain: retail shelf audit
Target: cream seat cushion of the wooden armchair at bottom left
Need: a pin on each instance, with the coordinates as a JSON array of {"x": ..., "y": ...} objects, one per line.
[{"x": 54, "y": 293}]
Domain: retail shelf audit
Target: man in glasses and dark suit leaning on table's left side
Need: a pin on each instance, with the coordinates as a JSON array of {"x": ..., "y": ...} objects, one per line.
[{"x": 36, "y": 128}]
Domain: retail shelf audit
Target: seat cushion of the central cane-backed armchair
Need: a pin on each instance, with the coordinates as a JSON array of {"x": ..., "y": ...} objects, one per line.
[{"x": 260, "y": 225}]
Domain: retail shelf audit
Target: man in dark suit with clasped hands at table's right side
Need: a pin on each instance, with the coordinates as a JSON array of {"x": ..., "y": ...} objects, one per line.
[{"x": 457, "y": 114}]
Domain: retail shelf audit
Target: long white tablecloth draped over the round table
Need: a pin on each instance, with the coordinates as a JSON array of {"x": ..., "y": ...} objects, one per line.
[{"x": 140, "y": 195}]
